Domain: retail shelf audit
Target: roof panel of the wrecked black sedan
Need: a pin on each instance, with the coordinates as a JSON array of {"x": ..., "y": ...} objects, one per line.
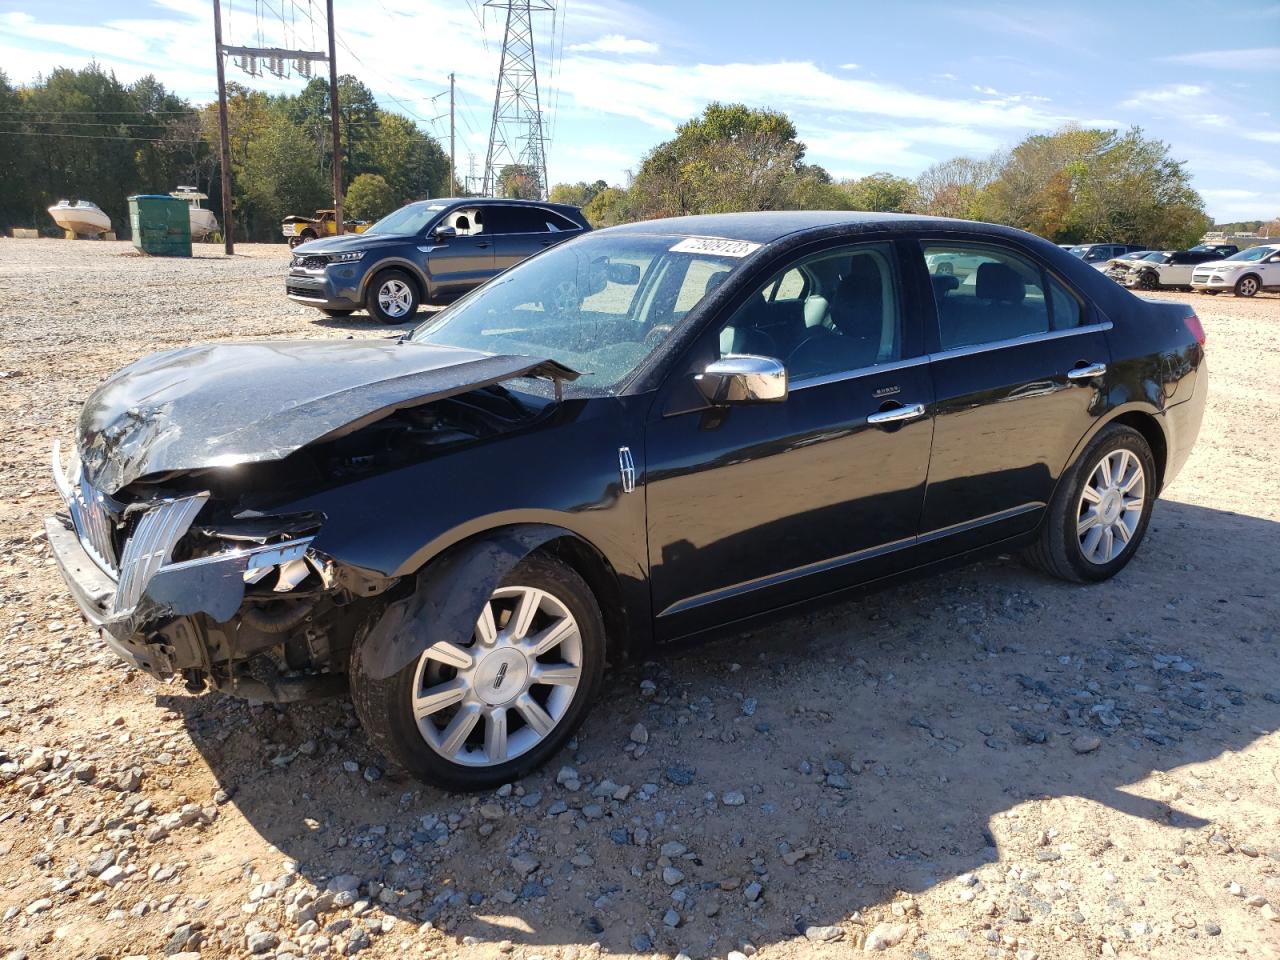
[{"x": 767, "y": 227}]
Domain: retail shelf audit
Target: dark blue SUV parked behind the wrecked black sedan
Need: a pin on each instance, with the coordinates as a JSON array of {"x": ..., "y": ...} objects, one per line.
[{"x": 427, "y": 253}]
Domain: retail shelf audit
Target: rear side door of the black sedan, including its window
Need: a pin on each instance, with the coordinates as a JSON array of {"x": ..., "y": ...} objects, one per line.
[{"x": 1020, "y": 365}]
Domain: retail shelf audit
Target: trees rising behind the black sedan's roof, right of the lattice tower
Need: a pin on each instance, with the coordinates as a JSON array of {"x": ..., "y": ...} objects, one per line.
[{"x": 1072, "y": 186}]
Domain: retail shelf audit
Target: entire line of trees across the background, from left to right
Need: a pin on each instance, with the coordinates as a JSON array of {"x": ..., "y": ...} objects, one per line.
[{"x": 85, "y": 135}]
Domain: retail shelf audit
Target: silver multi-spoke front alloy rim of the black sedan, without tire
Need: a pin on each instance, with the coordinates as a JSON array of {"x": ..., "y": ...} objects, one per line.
[{"x": 505, "y": 693}]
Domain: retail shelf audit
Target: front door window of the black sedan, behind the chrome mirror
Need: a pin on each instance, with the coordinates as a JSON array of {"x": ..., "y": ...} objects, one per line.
[{"x": 844, "y": 314}]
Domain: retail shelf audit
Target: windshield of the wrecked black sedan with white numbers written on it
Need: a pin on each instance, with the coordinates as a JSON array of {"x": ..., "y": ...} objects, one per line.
[{"x": 601, "y": 305}]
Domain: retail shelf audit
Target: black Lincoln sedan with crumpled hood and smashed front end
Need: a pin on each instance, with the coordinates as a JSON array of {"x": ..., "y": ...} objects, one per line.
[{"x": 639, "y": 437}]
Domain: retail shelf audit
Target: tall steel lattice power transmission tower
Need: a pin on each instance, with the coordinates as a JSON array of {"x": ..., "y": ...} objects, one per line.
[{"x": 516, "y": 132}]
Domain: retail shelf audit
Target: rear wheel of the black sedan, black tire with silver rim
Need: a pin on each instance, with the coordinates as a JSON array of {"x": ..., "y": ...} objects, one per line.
[{"x": 1062, "y": 550}]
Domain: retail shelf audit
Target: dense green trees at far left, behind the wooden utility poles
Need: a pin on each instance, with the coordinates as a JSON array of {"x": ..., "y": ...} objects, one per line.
[{"x": 85, "y": 135}]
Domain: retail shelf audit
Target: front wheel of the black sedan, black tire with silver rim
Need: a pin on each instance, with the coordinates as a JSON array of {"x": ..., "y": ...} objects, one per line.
[{"x": 387, "y": 711}]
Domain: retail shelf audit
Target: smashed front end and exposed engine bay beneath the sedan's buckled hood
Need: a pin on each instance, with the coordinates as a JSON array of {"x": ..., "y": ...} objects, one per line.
[{"x": 236, "y": 596}]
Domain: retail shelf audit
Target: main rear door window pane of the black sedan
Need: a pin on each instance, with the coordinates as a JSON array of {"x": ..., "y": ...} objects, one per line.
[{"x": 985, "y": 295}]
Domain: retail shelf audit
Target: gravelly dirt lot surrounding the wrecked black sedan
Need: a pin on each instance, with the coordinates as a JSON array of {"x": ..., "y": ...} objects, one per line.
[{"x": 984, "y": 765}]
